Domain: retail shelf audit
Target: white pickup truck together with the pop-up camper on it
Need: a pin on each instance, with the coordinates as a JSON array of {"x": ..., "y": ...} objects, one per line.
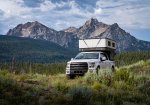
[{"x": 95, "y": 55}]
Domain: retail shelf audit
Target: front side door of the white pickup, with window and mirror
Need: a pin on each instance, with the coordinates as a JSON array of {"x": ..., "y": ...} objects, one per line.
[{"x": 104, "y": 61}]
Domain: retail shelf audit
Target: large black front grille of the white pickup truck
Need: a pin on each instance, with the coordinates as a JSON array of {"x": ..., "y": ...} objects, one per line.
[{"x": 79, "y": 67}]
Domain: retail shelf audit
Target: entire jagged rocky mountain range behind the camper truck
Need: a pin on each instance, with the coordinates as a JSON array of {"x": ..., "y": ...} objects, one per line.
[{"x": 92, "y": 28}]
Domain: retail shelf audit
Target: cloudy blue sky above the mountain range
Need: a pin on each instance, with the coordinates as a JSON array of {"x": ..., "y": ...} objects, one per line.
[{"x": 131, "y": 15}]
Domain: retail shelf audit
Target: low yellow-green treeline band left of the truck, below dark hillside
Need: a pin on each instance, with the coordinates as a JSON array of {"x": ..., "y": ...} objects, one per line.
[{"x": 18, "y": 68}]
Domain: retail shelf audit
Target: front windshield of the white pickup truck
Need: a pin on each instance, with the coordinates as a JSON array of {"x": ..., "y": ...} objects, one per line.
[{"x": 87, "y": 56}]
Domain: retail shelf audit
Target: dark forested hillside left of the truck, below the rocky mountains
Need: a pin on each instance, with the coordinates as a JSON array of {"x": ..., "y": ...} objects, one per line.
[{"x": 31, "y": 50}]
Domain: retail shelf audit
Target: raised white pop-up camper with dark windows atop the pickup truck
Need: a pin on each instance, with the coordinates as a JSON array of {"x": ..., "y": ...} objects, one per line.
[{"x": 104, "y": 45}]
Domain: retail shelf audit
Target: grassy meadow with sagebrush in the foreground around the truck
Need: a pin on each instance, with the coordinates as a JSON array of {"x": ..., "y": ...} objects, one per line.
[{"x": 129, "y": 85}]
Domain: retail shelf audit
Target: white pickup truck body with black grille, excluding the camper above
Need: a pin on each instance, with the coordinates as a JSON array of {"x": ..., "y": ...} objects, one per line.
[{"x": 88, "y": 61}]
